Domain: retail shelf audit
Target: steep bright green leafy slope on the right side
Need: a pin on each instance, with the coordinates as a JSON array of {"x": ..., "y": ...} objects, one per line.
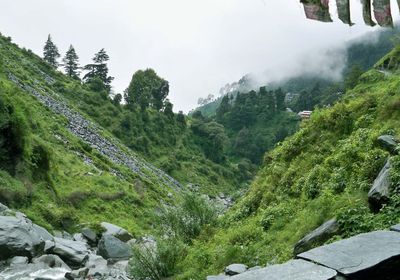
[{"x": 324, "y": 171}]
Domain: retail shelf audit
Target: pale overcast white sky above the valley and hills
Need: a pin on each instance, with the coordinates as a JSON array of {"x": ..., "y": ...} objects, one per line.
[{"x": 197, "y": 45}]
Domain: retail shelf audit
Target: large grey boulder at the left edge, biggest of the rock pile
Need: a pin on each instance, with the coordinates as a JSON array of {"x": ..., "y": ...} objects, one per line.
[{"x": 18, "y": 237}]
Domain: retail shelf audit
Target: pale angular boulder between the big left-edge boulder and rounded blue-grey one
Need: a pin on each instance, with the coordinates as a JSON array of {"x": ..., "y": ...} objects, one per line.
[{"x": 72, "y": 252}]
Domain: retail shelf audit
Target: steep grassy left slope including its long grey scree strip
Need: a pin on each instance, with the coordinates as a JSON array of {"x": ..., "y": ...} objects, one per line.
[{"x": 58, "y": 166}]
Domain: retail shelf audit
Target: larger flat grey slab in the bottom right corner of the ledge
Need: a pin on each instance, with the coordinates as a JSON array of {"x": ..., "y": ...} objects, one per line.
[{"x": 373, "y": 255}]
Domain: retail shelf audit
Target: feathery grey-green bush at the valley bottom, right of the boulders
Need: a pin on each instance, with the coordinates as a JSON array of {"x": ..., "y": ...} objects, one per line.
[{"x": 179, "y": 226}]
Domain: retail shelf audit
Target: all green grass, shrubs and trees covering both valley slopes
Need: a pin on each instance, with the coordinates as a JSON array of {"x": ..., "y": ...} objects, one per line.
[{"x": 324, "y": 170}]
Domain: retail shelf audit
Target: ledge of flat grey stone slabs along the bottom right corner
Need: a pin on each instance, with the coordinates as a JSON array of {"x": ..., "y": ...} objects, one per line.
[{"x": 372, "y": 256}]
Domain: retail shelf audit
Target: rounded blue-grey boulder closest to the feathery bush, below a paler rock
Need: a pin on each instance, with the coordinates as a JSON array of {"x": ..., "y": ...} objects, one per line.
[{"x": 111, "y": 247}]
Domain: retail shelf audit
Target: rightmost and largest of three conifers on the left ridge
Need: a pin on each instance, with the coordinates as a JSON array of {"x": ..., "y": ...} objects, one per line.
[{"x": 99, "y": 69}]
